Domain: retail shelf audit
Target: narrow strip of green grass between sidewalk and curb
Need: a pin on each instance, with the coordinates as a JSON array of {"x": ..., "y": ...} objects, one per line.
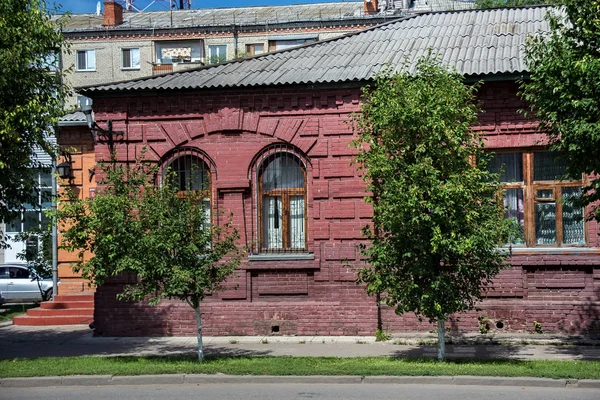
[{"x": 360, "y": 366}]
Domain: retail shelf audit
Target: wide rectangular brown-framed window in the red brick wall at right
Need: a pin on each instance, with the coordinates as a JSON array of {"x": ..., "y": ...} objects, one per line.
[{"x": 537, "y": 201}]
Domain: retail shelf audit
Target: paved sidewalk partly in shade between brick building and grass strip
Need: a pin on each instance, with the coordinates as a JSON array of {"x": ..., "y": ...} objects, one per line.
[{"x": 66, "y": 341}]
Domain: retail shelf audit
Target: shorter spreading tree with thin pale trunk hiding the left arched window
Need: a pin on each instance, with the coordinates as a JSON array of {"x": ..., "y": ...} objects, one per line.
[{"x": 158, "y": 233}]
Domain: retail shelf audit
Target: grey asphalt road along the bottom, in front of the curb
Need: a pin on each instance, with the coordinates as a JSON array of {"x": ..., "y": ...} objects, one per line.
[{"x": 254, "y": 391}]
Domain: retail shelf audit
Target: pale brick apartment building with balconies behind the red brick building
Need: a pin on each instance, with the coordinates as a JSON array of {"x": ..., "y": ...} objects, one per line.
[{"x": 117, "y": 45}]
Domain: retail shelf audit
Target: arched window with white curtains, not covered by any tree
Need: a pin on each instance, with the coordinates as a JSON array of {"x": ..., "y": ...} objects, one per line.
[{"x": 282, "y": 202}]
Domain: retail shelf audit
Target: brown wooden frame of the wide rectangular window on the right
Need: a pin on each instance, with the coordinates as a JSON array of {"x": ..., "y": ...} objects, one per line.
[{"x": 530, "y": 189}]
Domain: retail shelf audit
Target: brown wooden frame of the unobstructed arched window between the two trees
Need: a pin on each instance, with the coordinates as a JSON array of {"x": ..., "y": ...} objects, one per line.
[{"x": 285, "y": 194}]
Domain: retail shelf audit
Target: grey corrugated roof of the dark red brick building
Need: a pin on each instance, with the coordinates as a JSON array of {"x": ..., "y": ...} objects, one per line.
[{"x": 475, "y": 42}]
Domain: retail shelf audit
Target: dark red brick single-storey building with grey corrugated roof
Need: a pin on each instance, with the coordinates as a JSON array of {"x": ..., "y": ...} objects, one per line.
[{"x": 273, "y": 133}]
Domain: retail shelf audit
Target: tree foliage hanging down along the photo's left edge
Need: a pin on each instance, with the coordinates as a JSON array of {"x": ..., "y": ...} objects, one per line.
[{"x": 31, "y": 97}]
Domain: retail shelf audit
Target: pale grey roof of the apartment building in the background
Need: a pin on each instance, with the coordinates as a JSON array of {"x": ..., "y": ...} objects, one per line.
[{"x": 250, "y": 15}]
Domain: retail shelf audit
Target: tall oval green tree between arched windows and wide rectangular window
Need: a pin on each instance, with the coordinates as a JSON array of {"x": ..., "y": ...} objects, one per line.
[{"x": 438, "y": 218}]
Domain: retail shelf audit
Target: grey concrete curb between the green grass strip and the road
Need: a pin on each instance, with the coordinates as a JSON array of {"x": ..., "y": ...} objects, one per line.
[{"x": 170, "y": 379}]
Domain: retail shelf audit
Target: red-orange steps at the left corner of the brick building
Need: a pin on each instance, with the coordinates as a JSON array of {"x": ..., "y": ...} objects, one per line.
[{"x": 65, "y": 309}]
